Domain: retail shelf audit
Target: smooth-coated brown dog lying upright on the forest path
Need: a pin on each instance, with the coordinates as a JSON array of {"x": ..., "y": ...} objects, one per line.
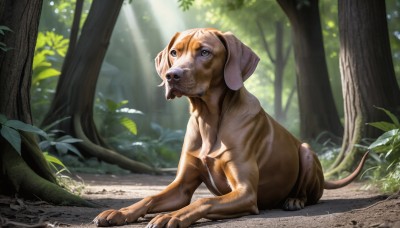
[{"x": 243, "y": 156}]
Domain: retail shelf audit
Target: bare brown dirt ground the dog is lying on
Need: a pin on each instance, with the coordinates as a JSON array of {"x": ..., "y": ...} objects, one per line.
[{"x": 346, "y": 207}]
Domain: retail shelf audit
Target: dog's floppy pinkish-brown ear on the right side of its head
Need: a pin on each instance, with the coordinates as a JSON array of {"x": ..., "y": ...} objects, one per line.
[{"x": 240, "y": 63}]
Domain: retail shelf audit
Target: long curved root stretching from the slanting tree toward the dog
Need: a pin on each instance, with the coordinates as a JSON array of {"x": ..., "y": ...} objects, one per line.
[{"x": 109, "y": 155}]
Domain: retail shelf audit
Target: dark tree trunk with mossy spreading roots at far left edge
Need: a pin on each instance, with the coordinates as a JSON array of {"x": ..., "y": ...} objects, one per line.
[{"x": 27, "y": 173}]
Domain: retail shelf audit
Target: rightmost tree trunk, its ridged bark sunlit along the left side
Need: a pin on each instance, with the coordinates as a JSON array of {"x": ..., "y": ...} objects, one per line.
[{"x": 367, "y": 72}]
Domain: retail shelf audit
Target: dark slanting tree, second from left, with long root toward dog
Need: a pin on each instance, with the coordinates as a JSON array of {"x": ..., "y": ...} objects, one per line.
[{"x": 77, "y": 86}]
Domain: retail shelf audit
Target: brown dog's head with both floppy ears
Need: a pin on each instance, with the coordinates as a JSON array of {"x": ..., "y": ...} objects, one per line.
[{"x": 196, "y": 60}]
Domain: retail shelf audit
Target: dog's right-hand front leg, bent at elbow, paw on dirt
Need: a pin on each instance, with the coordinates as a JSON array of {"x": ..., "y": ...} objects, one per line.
[{"x": 242, "y": 200}]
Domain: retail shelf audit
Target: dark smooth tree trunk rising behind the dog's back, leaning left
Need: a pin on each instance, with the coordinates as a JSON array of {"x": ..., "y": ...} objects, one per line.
[{"x": 317, "y": 108}]
